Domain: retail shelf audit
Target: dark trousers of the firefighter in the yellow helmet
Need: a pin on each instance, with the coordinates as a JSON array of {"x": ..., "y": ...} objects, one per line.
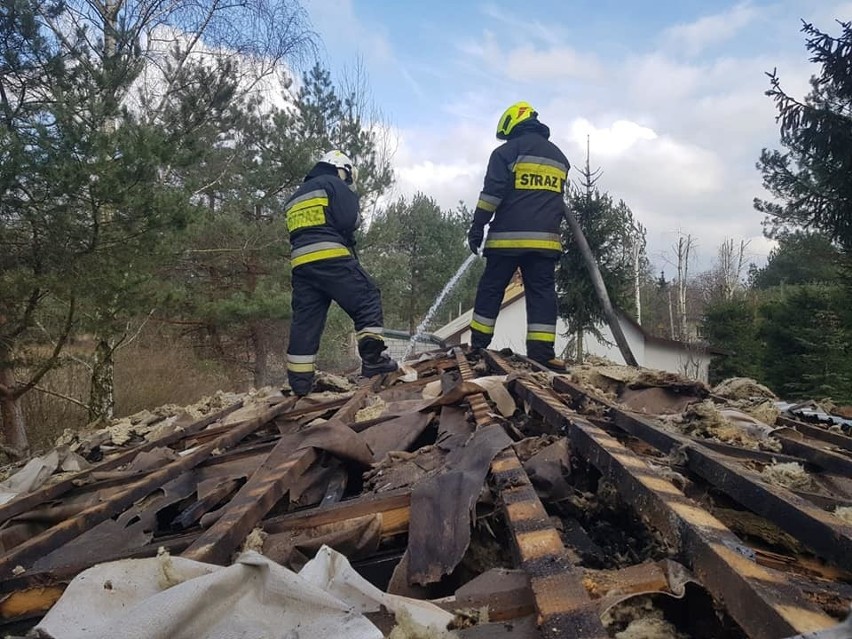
[{"x": 538, "y": 273}]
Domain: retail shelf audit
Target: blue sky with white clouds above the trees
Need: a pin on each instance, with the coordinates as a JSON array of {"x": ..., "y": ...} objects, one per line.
[{"x": 670, "y": 93}]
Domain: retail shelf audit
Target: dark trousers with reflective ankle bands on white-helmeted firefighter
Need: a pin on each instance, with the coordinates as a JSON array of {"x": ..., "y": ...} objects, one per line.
[{"x": 315, "y": 286}]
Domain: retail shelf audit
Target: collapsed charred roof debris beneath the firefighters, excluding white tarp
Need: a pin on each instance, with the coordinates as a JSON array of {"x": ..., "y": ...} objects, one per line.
[{"x": 611, "y": 501}]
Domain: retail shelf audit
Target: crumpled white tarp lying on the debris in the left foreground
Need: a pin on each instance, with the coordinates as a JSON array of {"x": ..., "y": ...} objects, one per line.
[{"x": 175, "y": 598}]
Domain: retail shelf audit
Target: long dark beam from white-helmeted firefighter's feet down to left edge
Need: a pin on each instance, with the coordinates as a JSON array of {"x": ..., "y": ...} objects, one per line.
[{"x": 51, "y": 539}]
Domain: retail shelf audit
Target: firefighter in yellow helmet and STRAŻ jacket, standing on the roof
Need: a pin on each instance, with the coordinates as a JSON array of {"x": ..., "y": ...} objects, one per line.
[{"x": 521, "y": 201}]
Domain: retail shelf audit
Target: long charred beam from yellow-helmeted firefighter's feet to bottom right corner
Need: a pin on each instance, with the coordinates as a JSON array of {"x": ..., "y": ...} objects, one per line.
[{"x": 764, "y": 605}]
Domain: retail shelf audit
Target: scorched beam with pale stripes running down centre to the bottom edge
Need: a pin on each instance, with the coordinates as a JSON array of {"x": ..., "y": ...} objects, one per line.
[{"x": 562, "y": 602}]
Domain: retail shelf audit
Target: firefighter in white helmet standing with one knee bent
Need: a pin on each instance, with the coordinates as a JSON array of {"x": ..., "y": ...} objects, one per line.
[{"x": 322, "y": 216}]
